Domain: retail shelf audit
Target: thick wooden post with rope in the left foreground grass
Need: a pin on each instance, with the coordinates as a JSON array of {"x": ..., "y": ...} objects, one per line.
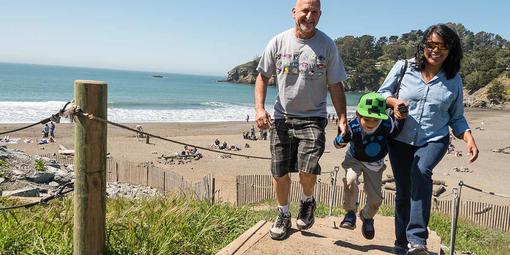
[{"x": 90, "y": 169}]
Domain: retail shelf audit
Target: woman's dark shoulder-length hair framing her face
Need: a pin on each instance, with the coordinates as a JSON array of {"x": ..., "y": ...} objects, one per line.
[{"x": 451, "y": 65}]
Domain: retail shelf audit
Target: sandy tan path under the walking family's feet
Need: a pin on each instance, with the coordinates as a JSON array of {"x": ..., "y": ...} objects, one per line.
[{"x": 323, "y": 238}]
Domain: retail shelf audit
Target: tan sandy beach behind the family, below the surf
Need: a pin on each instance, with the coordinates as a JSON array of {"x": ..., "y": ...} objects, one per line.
[{"x": 490, "y": 172}]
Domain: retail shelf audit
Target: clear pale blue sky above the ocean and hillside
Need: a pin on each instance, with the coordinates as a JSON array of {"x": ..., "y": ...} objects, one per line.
[{"x": 205, "y": 37}]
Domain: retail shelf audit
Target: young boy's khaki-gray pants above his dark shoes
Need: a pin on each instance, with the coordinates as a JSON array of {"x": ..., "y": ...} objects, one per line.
[{"x": 372, "y": 182}]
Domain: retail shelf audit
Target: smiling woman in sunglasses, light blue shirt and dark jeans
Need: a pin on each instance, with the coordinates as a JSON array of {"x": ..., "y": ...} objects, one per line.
[{"x": 433, "y": 91}]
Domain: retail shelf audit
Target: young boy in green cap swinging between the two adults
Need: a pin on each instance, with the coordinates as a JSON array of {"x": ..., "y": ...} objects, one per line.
[{"x": 367, "y": 136}]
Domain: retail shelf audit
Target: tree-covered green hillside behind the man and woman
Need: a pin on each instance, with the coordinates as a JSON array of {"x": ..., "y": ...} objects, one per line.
[{"x": 368, "y": 59}]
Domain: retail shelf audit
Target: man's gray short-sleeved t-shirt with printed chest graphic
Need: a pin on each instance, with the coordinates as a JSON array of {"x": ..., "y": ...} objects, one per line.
[{"x": 304, "y": 68}]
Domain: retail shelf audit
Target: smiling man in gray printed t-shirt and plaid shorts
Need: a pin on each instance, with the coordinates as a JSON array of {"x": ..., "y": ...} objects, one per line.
[{"x": 306, "y": 64}]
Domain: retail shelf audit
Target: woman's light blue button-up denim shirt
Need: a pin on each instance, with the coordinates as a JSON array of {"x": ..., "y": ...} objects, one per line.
[{"x": 432, "y": 107}]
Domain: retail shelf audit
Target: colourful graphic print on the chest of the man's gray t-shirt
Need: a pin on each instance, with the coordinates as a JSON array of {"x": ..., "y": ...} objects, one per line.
[{"x": 310, "y": 66}]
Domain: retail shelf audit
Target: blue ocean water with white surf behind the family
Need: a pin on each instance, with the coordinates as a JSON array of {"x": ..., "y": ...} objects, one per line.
[{"x": 30, "y": 93}]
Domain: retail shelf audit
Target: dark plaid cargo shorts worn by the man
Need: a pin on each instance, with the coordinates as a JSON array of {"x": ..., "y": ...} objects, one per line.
[{"x": 297, "y": 145}]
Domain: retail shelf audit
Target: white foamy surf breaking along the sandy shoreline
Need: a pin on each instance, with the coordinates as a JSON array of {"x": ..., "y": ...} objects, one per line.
[{"x": 27, "y": 112}]
